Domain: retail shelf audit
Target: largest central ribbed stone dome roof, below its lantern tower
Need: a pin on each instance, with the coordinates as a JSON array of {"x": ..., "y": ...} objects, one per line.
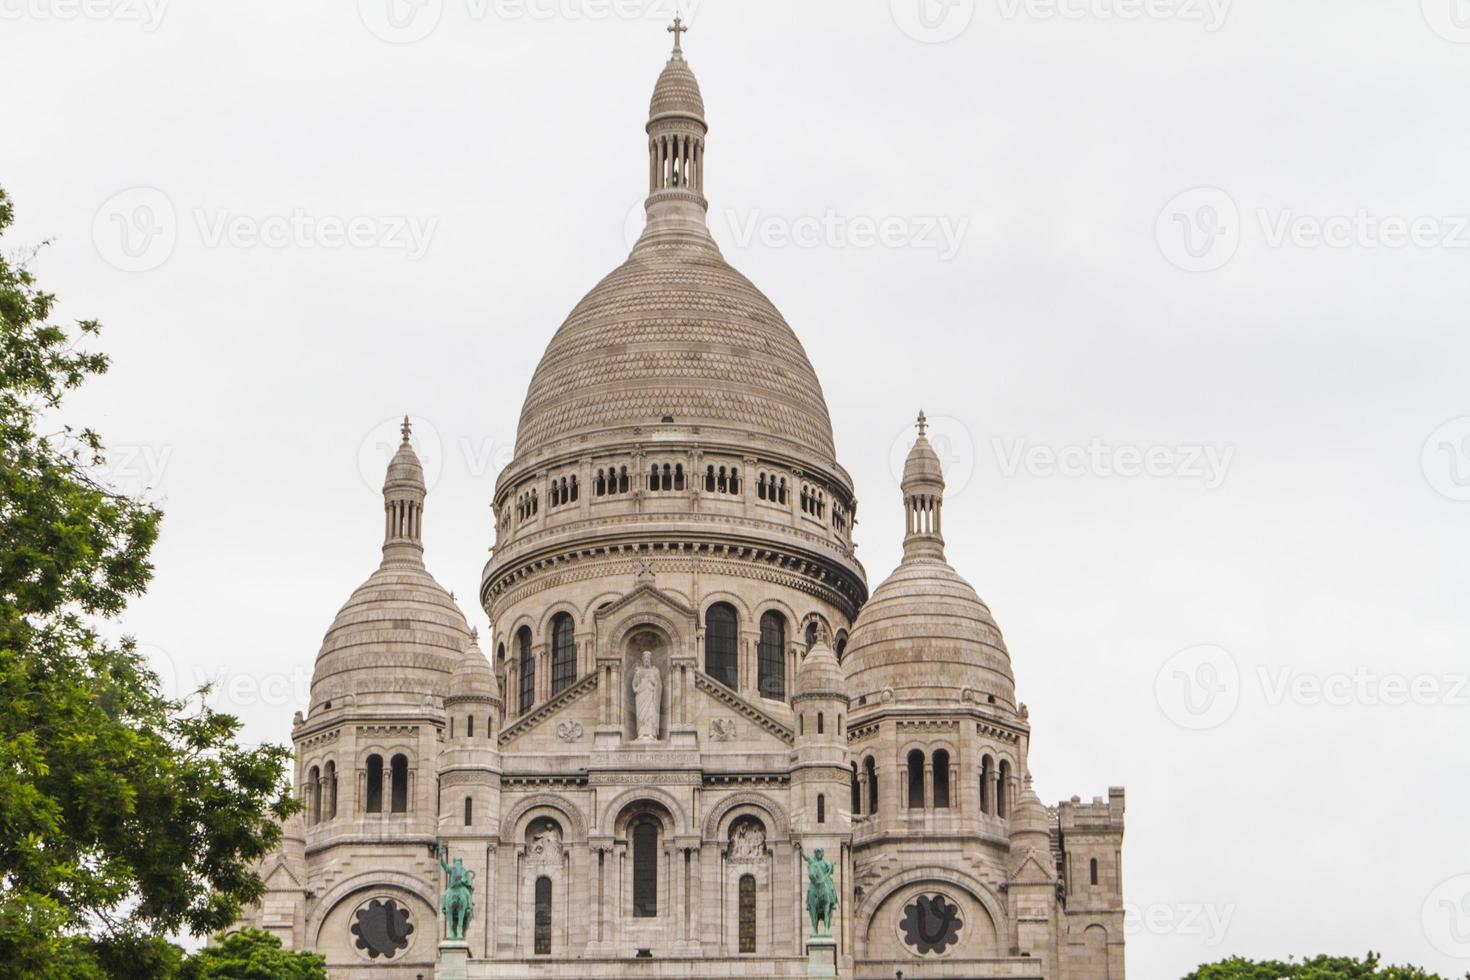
[{"x": 677, "y": 333}]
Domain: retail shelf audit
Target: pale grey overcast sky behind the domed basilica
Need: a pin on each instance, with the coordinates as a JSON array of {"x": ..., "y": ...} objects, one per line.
[{"x": 1184, "y": 284}]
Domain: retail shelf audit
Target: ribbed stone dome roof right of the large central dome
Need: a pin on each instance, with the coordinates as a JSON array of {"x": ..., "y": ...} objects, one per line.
[{"x": 928, "y": 635}]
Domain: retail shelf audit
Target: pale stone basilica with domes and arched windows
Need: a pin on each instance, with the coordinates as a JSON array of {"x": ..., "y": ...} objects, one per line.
[{"x": 689, "y": 697}]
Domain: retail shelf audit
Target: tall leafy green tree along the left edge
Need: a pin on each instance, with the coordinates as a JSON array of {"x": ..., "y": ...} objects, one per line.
[{"x": 124, "y": 815}]
